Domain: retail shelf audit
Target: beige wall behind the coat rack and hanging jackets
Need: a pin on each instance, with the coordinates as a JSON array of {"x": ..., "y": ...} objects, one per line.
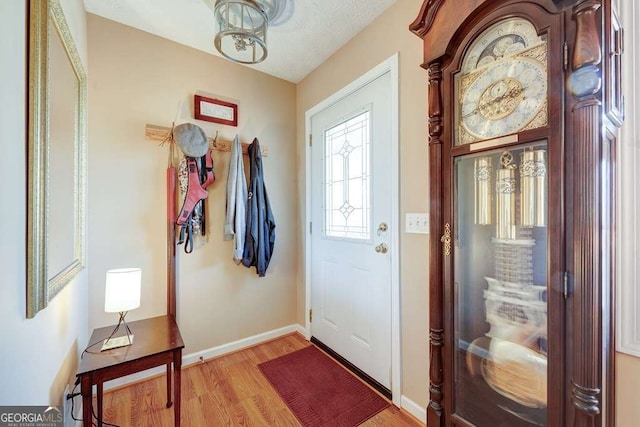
[{"x": 139, "y": 78}]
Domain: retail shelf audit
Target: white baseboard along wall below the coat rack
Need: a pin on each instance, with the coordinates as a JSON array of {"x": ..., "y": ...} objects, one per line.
[{"x": 210, "y": 353}]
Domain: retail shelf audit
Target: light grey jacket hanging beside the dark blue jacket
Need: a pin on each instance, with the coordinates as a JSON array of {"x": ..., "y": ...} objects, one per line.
[{"x": 235, "y": 222}]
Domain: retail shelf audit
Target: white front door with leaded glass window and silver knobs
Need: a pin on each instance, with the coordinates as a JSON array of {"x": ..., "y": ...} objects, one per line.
[{"x": 351, "y": 205}]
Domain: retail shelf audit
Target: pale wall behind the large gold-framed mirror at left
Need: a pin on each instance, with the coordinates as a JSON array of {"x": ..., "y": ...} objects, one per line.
[{"x": 40, "y": 355}]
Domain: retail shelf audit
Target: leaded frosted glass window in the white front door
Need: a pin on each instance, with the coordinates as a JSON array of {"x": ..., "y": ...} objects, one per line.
[{"x": 347, "y": 207}]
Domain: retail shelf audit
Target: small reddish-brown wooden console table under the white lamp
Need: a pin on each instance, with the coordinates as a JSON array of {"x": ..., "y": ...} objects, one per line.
[{"x": 157, "y": 341}]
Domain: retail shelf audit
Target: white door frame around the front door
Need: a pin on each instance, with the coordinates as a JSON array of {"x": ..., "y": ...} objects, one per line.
[{"x": 390, "y": 65}]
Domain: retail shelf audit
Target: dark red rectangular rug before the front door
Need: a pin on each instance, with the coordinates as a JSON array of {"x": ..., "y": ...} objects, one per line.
[{"x": 319, "y": 391}]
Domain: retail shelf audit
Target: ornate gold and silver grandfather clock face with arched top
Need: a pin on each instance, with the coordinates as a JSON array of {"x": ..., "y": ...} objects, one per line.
[{"x": 502, "y": 87}]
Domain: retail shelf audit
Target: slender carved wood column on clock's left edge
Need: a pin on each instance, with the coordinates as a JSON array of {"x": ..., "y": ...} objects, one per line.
[{"x": 436, "y": 333}]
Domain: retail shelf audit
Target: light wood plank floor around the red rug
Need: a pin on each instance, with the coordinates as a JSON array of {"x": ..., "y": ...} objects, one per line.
[{"x": 226, "y": 391}]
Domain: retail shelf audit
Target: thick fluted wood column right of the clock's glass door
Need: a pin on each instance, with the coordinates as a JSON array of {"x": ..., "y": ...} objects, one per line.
[{"x": 585, "y": 84}]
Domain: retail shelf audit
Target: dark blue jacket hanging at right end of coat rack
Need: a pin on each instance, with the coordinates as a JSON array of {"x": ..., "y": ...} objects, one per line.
[{"x": 261, "y": 236}]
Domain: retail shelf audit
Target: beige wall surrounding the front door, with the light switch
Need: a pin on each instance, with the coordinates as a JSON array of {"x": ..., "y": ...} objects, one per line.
[{"x": 387, "y": 35}]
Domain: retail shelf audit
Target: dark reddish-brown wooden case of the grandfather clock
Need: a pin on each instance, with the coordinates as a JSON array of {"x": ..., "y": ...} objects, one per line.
[{"x": 585, "y": 111}]
